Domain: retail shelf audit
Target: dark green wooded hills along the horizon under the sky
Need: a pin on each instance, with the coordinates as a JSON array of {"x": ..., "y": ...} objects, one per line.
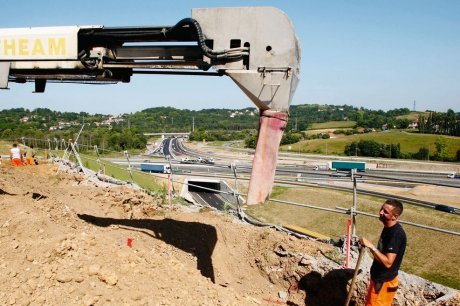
[{"x": 209, "y": 124}]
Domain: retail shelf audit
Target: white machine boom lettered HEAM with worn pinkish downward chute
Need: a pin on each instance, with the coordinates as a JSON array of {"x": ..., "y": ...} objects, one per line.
[{"x": 255, "y": 46}]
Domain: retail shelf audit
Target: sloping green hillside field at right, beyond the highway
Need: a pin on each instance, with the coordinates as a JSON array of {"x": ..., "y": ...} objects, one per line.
[{"x": 409, "y": 142}]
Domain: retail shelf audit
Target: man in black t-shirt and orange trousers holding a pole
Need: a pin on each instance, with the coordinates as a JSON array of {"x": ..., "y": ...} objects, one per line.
[{"x": 388, "y": 255}]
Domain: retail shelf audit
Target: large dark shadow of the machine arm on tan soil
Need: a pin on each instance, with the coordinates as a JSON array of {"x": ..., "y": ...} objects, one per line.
[{"x": 195, "y": 238}]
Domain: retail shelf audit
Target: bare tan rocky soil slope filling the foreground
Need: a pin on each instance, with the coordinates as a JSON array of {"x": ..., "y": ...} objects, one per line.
[{"x": 71, "y": 240}]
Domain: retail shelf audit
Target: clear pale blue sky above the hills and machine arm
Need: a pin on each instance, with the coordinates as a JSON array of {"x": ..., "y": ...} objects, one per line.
[{"x": 374, "y": 54}]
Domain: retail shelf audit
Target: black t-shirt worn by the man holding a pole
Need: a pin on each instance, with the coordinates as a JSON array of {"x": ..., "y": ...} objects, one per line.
[{"x": 392, "y": 240}]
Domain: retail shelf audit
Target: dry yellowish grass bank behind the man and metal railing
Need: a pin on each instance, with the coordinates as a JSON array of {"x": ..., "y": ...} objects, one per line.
[{"x": 432, "y": 255}]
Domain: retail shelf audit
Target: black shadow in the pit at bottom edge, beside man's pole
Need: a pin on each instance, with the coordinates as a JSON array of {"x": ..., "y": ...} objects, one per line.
[{"x": 328, "y": 290}]
